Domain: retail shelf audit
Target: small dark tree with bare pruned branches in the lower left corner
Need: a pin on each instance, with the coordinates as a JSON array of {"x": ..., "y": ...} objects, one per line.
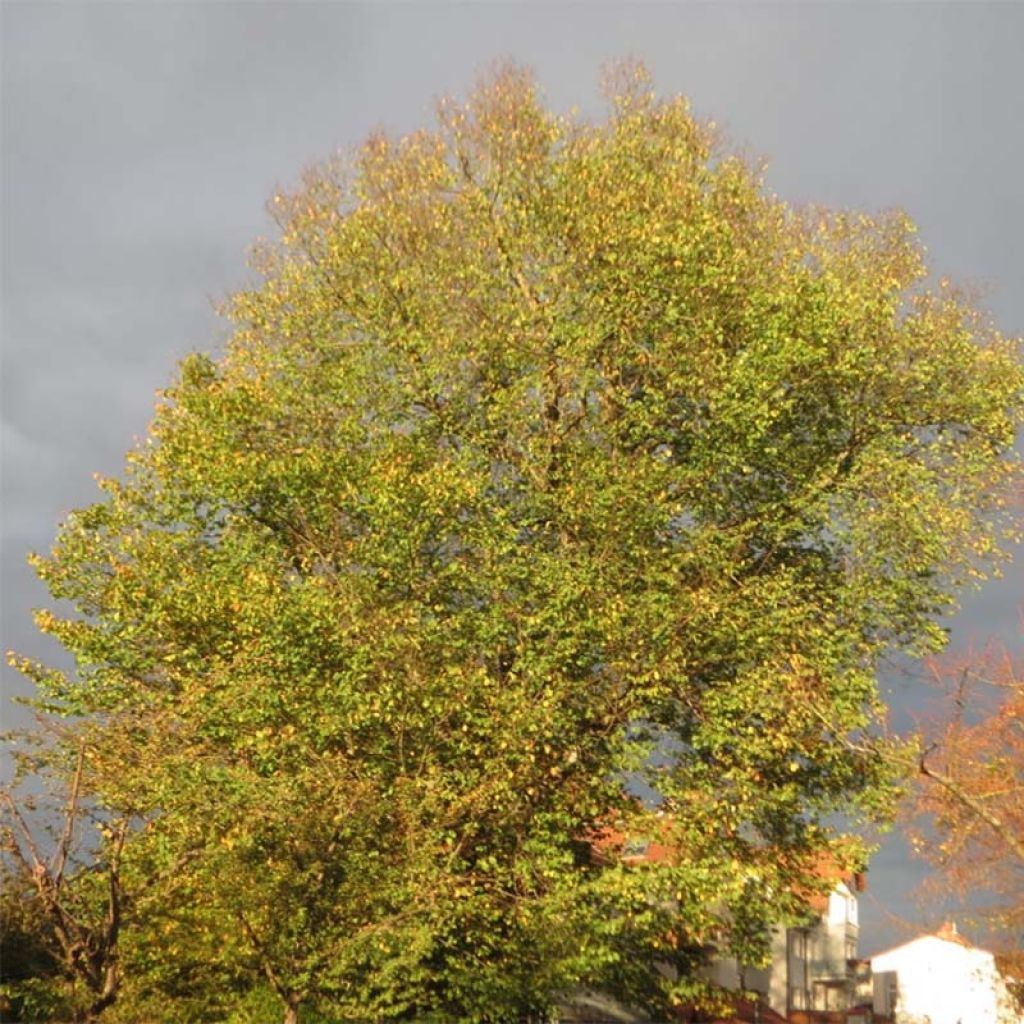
[{"x": 90, "y": 884}]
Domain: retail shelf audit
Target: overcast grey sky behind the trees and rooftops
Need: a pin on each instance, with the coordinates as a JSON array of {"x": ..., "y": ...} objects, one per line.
[{"x": 142, "y": 141}]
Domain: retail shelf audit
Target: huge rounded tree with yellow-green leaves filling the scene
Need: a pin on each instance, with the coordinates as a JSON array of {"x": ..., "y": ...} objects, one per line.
[{"x": 558, "y": 477}]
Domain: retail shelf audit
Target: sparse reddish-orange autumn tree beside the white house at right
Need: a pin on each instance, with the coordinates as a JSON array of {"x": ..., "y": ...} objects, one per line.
[{"x": 969, "y": 800}]
